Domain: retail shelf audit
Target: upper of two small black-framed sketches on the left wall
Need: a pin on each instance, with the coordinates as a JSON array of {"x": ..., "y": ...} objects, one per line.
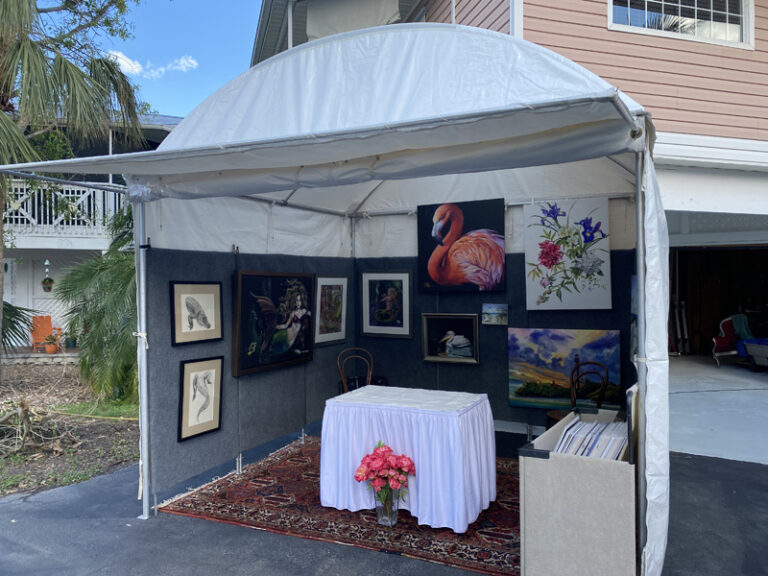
[{"x": 195, "y": 312}]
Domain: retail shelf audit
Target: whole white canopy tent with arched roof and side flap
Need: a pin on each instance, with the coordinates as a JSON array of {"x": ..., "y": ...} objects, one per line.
[{"x": 327, "y": 150}]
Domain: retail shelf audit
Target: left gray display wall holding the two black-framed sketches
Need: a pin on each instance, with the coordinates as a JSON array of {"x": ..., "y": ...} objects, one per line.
[{"x": 255, "y": 408}]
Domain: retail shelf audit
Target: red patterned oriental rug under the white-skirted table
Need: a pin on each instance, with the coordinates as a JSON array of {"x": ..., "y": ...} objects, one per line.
[{"x": 281, "y": 494}]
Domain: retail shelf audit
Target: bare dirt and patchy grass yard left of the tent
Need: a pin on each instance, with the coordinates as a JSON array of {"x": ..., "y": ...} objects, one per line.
[{"x": 69, "y": 449}]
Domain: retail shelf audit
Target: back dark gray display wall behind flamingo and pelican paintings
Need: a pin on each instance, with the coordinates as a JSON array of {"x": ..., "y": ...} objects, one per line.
[{"x": 401, "y": 360}]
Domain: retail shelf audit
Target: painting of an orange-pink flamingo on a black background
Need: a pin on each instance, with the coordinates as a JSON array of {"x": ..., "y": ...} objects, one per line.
[{"x": 474, "y": 258}]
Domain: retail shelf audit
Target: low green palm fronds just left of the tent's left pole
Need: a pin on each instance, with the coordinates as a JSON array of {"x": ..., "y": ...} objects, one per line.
[{"x": 100, "y": 295}]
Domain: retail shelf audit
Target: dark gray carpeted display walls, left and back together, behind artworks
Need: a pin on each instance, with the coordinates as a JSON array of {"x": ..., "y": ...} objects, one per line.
[{"x": 259, "y": 407}]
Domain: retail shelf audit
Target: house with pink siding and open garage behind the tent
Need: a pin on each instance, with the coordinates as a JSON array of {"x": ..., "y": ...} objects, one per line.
[{"x": 700, "y": 67}]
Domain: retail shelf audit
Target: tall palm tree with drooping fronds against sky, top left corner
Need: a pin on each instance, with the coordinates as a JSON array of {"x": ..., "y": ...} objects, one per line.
[{"x": 53, "y": 77}]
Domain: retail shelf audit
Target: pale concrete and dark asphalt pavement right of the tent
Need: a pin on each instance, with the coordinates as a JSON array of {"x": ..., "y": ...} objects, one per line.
[{"x": 718, "y": 469}]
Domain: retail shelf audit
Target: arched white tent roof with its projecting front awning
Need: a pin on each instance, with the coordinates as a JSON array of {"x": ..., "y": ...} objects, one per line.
[{"x": 394, "y": 102}]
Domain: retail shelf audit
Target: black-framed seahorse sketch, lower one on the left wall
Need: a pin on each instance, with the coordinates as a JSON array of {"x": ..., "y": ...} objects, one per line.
[{"x": 200, "y": 398}]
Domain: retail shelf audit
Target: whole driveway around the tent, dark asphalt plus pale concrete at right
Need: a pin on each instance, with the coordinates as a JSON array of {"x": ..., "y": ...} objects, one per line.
[{"x": 718, "y": 507}]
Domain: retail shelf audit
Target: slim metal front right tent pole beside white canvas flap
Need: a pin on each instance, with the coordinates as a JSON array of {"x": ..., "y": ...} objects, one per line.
[{"x": 640, "y": 360}]
